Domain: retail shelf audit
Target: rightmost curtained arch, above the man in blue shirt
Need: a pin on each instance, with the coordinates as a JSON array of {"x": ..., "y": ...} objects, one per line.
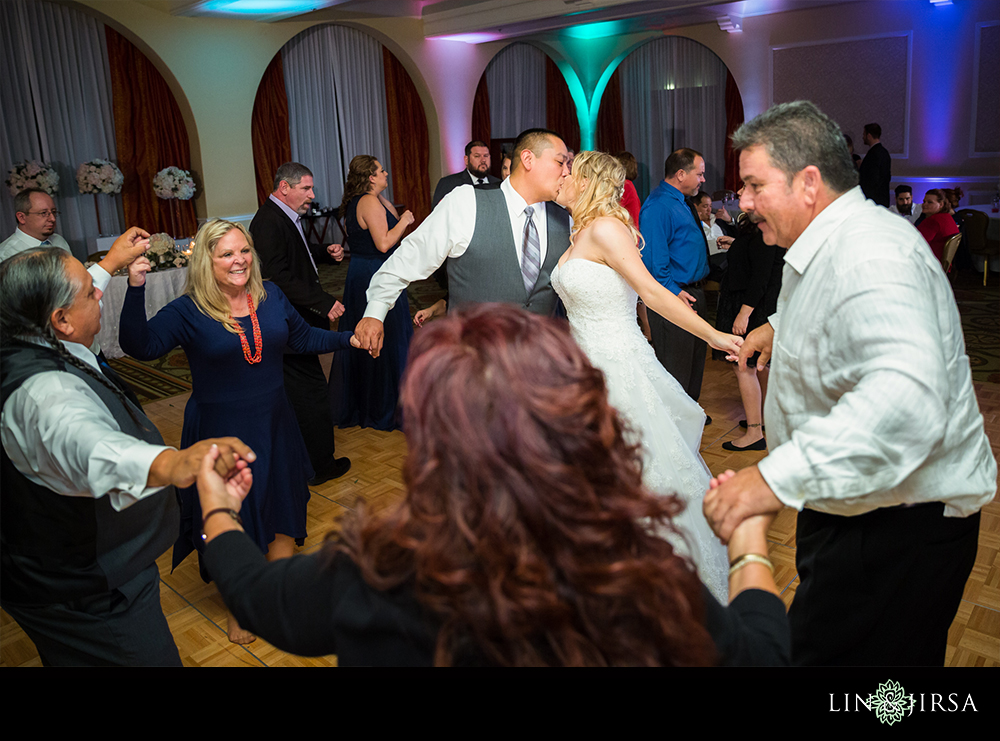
[{"x": 663, "y": 94}]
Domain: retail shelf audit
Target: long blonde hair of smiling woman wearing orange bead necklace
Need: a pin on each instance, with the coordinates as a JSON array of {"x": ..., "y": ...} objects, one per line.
[{"x": 201, "y": 284}]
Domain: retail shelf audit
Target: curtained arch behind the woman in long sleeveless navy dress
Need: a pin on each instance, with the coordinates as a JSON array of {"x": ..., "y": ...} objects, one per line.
[{"x": 334, "y": 91}]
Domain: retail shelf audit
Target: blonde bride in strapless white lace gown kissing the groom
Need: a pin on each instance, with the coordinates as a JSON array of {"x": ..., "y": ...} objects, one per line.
[{"x": 598, "y": 279}]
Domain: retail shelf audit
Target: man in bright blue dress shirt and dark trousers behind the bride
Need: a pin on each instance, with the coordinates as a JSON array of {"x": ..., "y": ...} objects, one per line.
[{"x": 676, "y": 254}]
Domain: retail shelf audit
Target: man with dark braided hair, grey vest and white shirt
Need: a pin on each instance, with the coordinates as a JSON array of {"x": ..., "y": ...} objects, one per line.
[{"x": 87, "y": 484}]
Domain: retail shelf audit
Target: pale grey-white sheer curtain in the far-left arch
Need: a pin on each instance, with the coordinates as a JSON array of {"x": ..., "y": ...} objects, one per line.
[{"x": 55, "y": 94}]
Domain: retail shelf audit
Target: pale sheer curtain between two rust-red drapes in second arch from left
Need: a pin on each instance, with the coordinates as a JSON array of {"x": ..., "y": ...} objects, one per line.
[{"x": 335, "y": 82}]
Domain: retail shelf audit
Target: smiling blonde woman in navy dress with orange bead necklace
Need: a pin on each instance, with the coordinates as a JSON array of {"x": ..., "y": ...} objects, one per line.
[{"x": 234, "y": 332}]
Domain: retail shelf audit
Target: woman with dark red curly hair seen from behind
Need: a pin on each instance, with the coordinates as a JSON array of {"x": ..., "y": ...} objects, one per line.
[{"x": 526, "y": 537}]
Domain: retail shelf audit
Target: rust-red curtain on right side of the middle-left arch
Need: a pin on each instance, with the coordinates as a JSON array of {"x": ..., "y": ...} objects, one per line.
[{"x": 409, "y": 142}]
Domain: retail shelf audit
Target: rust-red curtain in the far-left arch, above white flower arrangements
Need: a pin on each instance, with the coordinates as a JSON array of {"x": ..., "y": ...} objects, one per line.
[{"x": 149, "y": 135}]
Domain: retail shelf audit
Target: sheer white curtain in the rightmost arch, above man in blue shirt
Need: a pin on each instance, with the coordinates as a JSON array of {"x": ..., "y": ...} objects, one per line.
[{"x": 673, "y": 96}]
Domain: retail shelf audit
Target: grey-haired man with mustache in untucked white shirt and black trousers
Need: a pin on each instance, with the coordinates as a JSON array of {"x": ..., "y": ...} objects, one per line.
[{"x": 874, "y": 431}]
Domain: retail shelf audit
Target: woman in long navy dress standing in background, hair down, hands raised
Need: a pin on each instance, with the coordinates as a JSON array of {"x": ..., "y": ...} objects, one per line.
[{"x": 364, "y": 391}]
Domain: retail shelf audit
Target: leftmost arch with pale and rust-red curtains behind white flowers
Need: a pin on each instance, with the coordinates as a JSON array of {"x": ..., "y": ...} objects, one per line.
[{"x": 91, "y": 89}]
